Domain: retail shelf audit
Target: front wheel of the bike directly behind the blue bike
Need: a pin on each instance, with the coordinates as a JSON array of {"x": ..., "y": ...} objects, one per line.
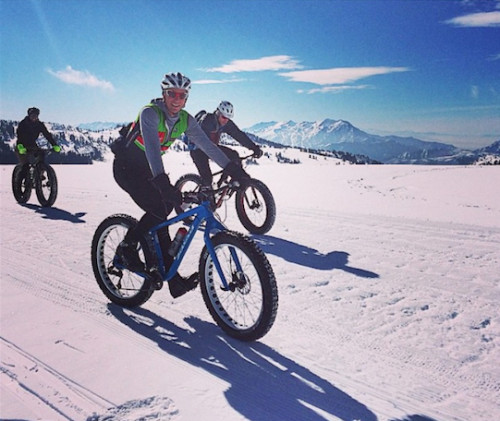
[{"x": 255, "y": 207}]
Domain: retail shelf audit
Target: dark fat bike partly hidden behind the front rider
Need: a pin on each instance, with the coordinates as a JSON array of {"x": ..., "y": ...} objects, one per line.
[{"x": 255, "y": 204}]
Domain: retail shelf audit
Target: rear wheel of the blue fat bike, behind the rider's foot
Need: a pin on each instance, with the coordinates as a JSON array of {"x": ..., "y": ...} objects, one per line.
[{"x": 121, "y": 286}]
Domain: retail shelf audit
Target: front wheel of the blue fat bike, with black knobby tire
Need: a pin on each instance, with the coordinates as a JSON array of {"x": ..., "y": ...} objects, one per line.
[{"x": 246, "y": 310}]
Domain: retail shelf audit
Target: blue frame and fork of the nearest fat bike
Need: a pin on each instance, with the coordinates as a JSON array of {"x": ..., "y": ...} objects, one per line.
[{"x": 200, "y": 213}]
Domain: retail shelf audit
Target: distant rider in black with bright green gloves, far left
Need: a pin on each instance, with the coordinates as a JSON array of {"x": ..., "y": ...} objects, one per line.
[{"x": 28, "y": 131}]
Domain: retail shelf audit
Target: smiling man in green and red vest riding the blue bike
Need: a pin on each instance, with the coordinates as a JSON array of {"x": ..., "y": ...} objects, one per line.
[{"x": 138, "y": 169}]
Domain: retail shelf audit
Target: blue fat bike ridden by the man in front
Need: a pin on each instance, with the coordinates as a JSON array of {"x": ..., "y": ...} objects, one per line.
[{"x": 236, "y": 279}]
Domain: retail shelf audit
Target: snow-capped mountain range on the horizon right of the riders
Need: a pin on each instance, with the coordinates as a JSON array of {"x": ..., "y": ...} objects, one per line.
[{"x": 340, "y": 135}]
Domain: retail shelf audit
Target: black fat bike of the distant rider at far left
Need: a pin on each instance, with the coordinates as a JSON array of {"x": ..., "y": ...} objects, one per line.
[{"x": 37, "y": 174}]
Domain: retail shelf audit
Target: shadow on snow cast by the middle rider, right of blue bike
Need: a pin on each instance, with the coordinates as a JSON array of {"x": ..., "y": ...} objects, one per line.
[{"x": 309, "y": 257}]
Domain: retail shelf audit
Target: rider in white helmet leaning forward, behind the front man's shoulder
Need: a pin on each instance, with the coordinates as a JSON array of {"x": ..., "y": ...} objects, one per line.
[{"x": 214, "y": 124}]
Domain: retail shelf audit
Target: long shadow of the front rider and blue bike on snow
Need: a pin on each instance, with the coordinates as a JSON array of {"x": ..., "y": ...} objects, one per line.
[{"x": 263, "y": 384}]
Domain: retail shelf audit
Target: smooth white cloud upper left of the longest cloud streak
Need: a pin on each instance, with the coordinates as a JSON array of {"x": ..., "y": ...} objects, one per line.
[{"x": 275, "y": 63}]
